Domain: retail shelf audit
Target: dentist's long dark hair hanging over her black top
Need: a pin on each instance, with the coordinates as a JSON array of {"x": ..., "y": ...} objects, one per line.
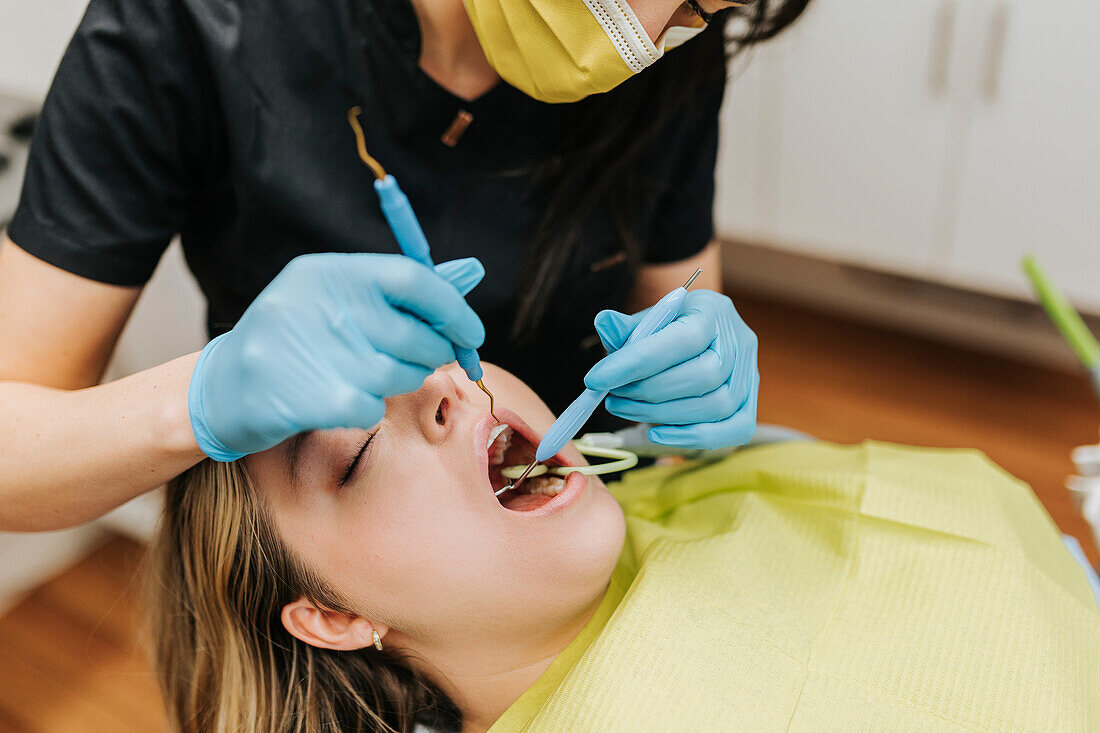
[{"x": 607, "y": 143}]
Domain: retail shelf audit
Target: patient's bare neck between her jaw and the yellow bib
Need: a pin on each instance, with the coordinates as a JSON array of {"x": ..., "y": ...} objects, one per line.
[{"x": 485, "y": 677}]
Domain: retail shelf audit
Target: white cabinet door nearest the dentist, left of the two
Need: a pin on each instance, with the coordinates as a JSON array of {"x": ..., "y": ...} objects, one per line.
[{"x": 862, "y": 133}]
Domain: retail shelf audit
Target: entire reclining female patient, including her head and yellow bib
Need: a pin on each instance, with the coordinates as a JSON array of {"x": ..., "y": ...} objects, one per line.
[{"x": 782, "y": 589}]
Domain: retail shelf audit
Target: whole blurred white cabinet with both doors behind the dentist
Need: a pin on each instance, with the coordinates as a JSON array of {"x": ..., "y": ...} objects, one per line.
[{"x": 937, "y": 138}]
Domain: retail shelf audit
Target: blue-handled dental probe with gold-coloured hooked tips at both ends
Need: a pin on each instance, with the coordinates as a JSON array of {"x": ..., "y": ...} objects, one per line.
[{"x": 410, "y": 236}]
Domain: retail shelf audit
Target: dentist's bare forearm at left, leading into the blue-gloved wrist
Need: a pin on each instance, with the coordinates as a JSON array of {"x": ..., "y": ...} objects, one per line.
[{"x": 69, "y": 456}]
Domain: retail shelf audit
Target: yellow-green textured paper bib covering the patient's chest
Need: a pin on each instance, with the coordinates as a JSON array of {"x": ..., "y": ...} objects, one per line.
[{"x": 813, "y": 587}]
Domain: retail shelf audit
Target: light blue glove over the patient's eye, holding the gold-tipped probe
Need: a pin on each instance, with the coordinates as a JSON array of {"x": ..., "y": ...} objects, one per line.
[{"x": 325, "y": 344}]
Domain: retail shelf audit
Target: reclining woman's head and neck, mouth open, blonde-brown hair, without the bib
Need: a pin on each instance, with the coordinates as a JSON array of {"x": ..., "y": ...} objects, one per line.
[{"x": 279, "y": 570}]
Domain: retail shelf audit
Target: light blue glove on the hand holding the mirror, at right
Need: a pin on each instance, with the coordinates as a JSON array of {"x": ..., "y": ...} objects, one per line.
[{"x": 697, "y": 378}]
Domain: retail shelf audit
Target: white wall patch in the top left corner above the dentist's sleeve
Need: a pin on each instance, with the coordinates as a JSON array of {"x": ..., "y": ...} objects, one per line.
[{"x": 34, "y": 35}]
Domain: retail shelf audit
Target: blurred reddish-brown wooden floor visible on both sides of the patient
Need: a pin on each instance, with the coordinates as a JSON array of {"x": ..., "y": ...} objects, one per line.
[{"x": 72, "y": 658}]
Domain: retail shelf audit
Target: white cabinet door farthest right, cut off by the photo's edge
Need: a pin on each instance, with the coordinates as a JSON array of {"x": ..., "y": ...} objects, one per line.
[{"x": 1031, "y": 174}]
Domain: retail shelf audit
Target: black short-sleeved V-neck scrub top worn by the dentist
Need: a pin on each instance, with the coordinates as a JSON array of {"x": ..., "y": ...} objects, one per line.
[{"x": 226, "y": 123}]
